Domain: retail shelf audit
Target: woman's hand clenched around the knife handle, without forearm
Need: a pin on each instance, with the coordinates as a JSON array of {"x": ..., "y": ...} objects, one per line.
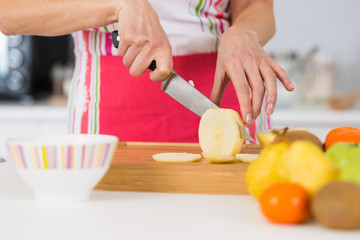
[{"x": 142, "y": 40}]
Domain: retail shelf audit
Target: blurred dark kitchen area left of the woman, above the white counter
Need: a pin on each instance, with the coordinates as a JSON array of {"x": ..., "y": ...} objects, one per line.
[{"x": 35, "y": 68}]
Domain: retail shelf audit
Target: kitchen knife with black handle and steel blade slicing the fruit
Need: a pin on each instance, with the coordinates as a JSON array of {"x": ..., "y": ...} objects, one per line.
[{"x": 183, "y": 92}]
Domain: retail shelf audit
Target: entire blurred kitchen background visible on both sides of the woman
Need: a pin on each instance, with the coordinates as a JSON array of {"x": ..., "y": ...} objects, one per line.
[{"x": 317, "y": 42}]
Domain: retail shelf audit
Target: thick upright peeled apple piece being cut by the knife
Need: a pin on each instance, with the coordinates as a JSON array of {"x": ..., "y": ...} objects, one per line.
[{"x": 219, "y": 132}]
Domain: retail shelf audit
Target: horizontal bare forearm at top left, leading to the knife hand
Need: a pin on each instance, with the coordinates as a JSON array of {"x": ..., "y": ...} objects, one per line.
[{"x": 55, "y": 17}]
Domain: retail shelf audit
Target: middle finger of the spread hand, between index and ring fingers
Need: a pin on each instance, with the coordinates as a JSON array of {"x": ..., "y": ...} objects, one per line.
[{"x": 257, "y": 87}]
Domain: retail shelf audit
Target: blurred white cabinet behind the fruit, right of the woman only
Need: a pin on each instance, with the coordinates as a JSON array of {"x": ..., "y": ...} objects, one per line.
[{"x": 319, "y": 121}]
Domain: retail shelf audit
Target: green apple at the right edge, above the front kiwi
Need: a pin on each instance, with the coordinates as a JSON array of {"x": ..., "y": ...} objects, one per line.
[{"x": 342, "y": 154}]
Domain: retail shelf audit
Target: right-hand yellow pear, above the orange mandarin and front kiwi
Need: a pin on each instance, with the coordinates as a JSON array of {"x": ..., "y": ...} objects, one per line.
[{"x": 308, "y": 165}]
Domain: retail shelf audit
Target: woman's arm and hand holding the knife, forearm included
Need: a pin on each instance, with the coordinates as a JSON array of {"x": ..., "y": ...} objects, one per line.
[{"x": 142, "y": 39}]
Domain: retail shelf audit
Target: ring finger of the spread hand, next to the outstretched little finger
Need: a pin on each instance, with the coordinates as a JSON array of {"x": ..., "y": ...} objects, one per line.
[{"x": 269, "y": 78}]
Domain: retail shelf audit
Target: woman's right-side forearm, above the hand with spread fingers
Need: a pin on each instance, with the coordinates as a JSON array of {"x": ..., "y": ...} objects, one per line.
[{"x": 256, "y": 15}]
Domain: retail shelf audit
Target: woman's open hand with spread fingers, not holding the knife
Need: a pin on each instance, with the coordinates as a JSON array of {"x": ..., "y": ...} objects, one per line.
[{"x": 242, "y": 60}]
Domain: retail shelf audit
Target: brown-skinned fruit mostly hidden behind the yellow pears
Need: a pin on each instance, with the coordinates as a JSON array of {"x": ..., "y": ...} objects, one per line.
[{"x": 292, "y": 136}]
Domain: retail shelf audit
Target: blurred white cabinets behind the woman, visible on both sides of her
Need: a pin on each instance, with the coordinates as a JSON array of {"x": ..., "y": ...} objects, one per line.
[{"x": 23, "y": 120}]
